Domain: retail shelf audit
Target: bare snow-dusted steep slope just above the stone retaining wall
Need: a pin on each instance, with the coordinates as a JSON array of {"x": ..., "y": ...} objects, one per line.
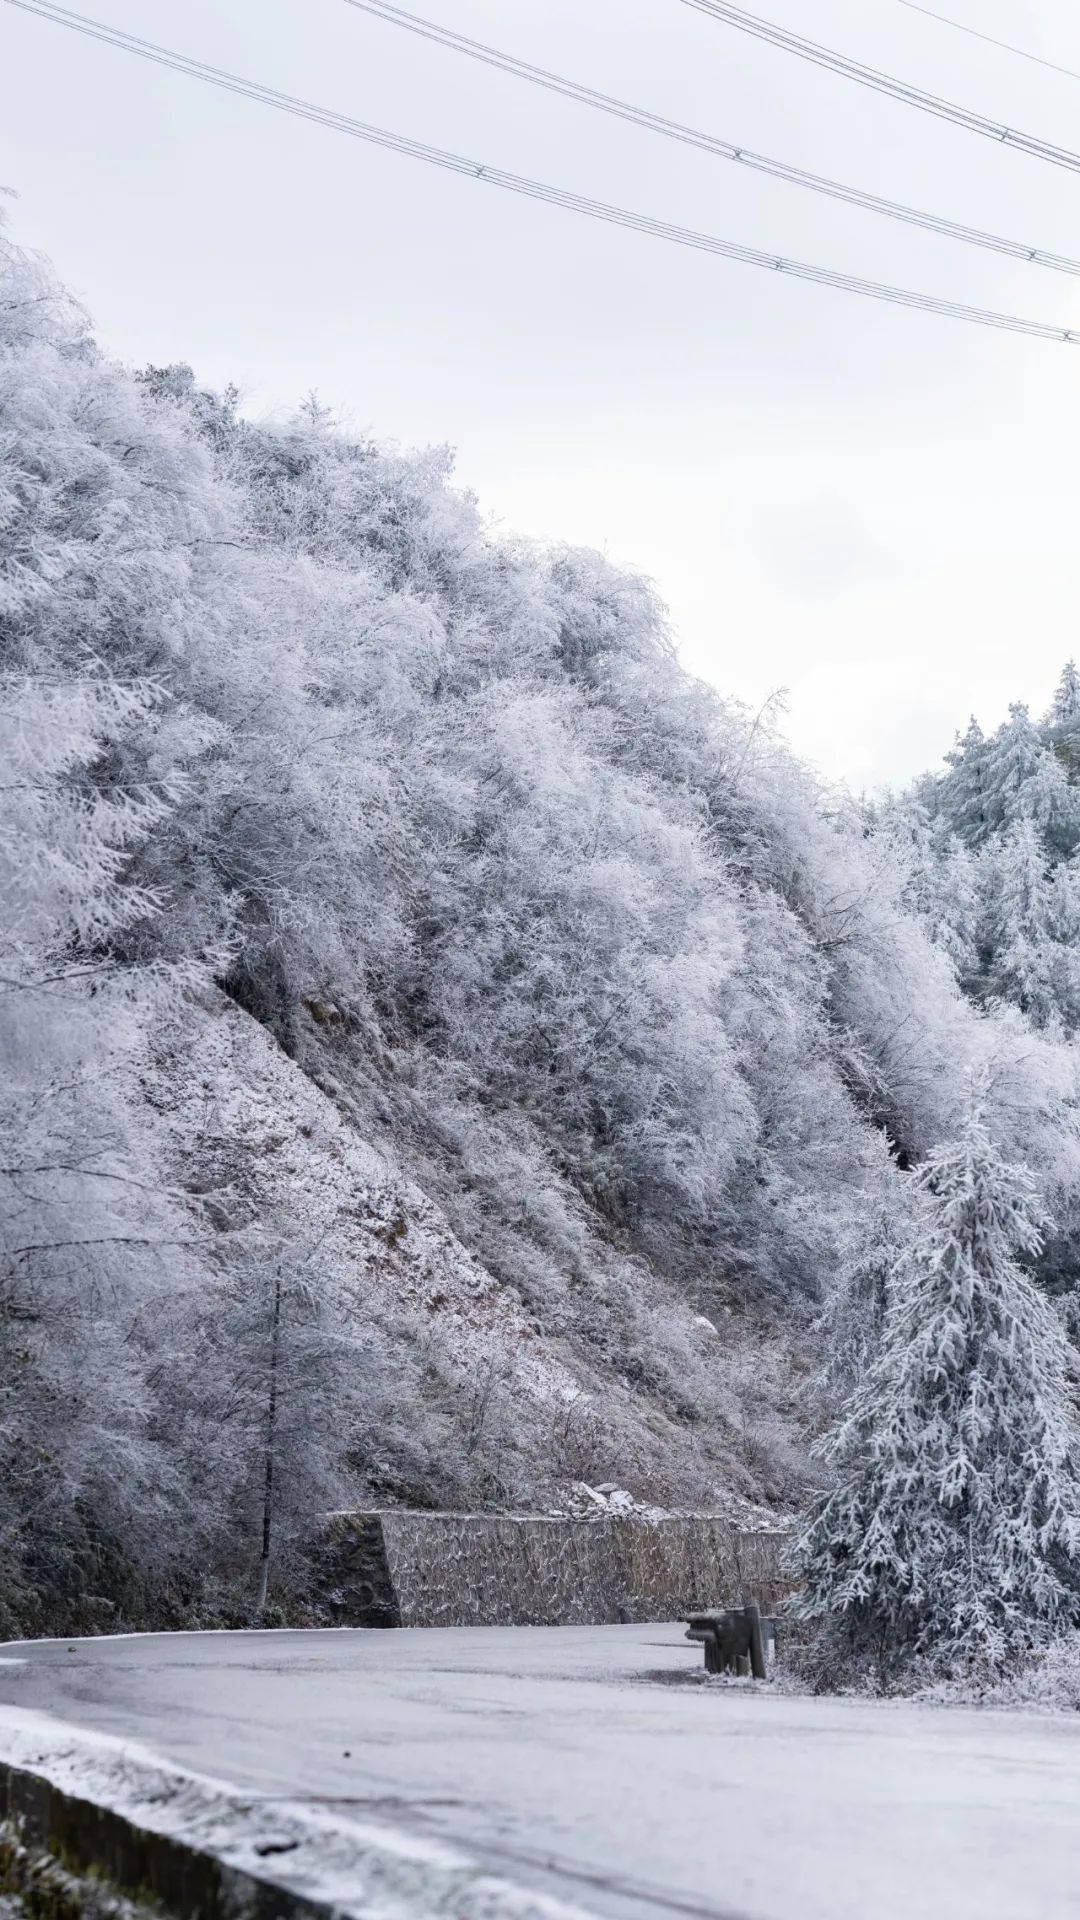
[{"x": 472, "y": 1397}]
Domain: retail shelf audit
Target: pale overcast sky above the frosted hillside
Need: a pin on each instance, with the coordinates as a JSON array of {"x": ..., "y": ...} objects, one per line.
[{"x": 868, "y": 508}]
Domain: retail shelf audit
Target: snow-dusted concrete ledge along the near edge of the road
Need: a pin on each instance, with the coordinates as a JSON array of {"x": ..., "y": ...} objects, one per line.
[{"x": 95, "y": 1829}]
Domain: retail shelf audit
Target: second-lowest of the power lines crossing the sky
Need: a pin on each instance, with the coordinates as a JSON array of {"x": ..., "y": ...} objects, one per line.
[{"x": 779, "y": 170}]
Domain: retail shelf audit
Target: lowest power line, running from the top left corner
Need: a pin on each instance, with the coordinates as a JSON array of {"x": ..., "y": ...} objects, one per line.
[{"x": 556, "y": 197}]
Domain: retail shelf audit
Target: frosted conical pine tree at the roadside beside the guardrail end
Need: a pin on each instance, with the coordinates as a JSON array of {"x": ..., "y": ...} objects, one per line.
[{"x": 952, "y": 1537}]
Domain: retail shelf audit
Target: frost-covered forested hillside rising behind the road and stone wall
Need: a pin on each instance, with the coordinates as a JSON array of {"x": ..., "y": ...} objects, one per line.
[{"x": 431, "y": 1019}]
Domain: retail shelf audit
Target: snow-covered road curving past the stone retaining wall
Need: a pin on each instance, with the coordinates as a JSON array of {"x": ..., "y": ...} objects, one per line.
[{"x": 599, "y": 1764}]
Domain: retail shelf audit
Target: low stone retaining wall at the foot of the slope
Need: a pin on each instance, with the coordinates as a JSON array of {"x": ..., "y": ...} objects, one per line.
[{"x": 503, "y": 1570}]
